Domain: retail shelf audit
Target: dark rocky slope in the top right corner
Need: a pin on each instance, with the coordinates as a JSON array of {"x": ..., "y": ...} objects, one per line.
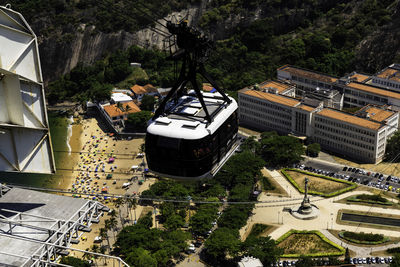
[{"x": 381, "y": 48}]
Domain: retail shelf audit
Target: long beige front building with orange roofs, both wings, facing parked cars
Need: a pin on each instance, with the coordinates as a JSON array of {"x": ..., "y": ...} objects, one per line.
[{"x": 360, "y": 136}]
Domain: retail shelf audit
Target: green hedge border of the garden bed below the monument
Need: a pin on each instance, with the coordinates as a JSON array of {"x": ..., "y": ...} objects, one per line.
[{"x": 320, "y": 235}]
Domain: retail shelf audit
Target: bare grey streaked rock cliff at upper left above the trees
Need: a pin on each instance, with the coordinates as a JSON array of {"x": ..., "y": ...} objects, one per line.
[{"x": 86, "y": 44}]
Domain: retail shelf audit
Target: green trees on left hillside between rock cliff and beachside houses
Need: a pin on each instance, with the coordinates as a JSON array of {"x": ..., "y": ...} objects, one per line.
[{"x": 94, "y": 82}]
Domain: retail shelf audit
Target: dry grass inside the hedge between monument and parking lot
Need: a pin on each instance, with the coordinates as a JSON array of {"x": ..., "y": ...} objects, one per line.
[{"x": 316, "y": 183}]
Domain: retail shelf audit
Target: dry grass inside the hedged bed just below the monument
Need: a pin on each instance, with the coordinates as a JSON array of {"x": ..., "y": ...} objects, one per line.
[{"x": 306, "y": 244}]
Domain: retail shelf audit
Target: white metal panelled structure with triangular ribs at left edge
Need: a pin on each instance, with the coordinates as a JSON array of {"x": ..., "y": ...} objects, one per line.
[{"x": 24, "y": 131}]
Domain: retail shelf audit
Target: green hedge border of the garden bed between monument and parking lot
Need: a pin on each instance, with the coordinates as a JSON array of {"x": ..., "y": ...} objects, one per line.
[{"x": 301, "y": 190}]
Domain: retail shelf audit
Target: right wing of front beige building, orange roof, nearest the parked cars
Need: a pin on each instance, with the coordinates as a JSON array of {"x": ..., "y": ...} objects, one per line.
[{"x": 362, "y": 137}]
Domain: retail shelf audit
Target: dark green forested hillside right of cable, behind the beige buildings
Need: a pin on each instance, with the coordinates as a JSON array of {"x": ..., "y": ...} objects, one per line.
[{"x": 324, "y": 40}]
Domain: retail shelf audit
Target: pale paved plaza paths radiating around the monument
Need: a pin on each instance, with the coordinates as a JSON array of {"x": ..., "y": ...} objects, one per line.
[{"x": 273, "y": 213}]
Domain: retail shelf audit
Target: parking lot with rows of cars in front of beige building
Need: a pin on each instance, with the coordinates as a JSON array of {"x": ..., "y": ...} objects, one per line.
[{"x": 365, "y": 177}]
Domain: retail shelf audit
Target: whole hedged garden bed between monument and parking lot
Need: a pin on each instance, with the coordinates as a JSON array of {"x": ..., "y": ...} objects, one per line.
[{"x": 318, "y": 184}]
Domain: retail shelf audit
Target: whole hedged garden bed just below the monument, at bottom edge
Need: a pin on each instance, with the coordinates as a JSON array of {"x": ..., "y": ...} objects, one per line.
[{"x": 308, "y": 243}]
